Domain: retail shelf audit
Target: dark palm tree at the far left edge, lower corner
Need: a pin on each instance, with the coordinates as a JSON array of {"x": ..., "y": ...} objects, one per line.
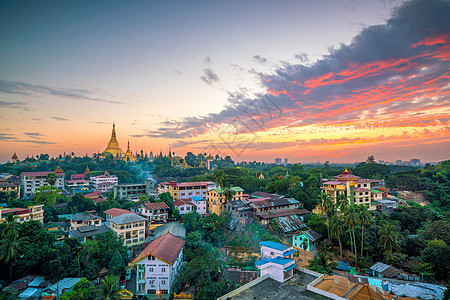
[{"x": 10, "y": 248}]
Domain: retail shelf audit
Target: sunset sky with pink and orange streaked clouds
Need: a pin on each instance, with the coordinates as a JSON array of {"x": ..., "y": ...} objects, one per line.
[{"x": 309, "y": 81}]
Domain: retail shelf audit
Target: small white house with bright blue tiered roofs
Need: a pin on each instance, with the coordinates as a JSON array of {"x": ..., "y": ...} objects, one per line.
[{"x": 276, "y": 260}]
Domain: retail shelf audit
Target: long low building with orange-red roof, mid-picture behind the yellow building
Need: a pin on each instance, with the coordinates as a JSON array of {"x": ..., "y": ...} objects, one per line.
[{"x": 185, "y": 190}]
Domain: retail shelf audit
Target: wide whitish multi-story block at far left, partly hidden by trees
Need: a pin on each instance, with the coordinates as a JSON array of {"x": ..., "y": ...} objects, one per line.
[{"x": 30, "y": 182}]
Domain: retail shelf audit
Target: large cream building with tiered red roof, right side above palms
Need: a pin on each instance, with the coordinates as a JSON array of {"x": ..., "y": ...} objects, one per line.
[{"x": 358, "y": 190}]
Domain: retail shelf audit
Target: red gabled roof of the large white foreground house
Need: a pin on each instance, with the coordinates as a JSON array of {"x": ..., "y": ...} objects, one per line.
[{"x": 166, "y": 248}]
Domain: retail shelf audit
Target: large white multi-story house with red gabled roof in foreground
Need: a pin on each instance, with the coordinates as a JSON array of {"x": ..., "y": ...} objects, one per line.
[{"x": 158, "y": 264}]
